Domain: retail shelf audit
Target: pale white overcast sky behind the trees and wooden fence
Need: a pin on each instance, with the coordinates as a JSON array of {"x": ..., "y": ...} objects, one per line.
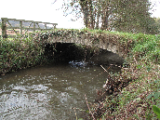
[{"x": 45, "y": 10}]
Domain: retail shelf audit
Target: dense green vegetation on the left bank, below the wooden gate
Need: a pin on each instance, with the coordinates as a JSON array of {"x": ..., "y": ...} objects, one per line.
[{"x": 19, "y": 53}]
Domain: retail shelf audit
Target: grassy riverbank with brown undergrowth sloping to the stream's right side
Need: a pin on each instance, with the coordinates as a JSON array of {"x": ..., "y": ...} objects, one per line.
[{"x": 136, "y": 99}]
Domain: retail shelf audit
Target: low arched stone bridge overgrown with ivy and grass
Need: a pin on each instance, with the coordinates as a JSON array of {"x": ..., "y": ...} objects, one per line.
[{"x": 106, "y": 41}]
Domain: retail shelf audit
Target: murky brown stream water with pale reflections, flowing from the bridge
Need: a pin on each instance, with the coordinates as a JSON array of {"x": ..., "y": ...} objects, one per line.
[{"x": 51, "y": 92}]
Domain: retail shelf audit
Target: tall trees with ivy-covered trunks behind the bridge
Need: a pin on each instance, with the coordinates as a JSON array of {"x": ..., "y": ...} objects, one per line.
[{"x": 120, "y": 15}]
